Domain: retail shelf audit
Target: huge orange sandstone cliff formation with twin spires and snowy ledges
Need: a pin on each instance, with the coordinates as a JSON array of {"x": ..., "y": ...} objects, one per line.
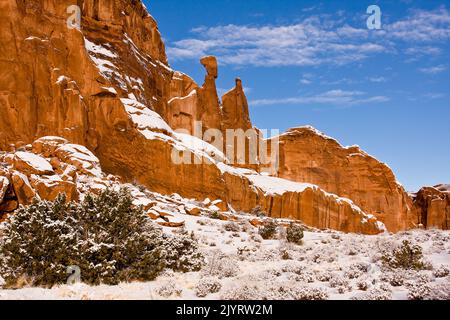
[{"x": 106, "y": 94}]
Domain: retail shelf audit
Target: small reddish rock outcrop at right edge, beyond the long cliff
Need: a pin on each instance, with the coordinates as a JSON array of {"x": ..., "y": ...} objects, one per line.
[{"x": 432, "y": 207}]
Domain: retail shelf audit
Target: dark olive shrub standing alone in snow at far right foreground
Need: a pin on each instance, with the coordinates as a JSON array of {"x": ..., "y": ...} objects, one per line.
[{"x": 407, "y": 256}]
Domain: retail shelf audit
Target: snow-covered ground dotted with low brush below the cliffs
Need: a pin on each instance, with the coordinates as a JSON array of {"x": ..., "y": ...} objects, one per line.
[{"x": 241, "y": 265}]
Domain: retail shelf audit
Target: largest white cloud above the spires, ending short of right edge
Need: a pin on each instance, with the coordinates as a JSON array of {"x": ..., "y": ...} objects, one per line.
[{"x": 314, "y": 41}]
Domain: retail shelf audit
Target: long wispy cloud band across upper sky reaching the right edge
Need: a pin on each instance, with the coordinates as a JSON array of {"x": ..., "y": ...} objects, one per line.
[{"x": 314, "y": 41}]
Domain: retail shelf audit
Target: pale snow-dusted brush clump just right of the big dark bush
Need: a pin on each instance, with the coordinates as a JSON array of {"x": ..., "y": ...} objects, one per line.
[{"x": 221, "y": 266}]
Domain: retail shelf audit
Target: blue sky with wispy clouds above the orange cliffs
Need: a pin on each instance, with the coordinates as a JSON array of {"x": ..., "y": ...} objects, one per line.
[{"x": 317, "y": 63}]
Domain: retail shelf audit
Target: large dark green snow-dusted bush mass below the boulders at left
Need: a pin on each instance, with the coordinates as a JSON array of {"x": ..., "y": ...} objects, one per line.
[{"x": 108, "y": 238}]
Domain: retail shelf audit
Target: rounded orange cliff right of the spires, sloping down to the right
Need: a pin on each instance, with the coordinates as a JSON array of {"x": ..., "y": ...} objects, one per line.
[{"x": 307, "y": 155}]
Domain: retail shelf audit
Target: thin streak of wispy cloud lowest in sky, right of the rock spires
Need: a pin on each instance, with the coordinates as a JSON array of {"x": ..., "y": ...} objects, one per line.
[{"x": 332, "y": 97}]
